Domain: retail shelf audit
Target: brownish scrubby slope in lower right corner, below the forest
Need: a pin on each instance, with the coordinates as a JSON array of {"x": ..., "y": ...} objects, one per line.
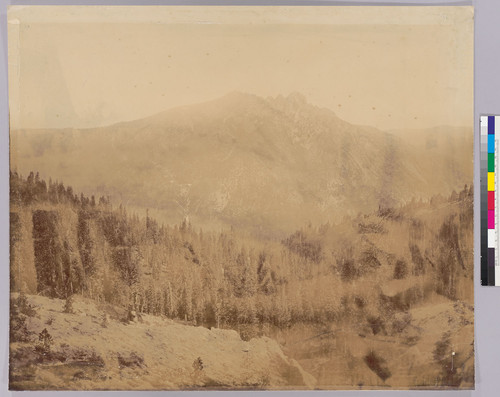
[{"x": 335, "y": 353}]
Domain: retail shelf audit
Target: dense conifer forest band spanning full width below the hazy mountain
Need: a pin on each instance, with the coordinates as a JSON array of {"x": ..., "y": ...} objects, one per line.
[{"x": 63, "y": 244}]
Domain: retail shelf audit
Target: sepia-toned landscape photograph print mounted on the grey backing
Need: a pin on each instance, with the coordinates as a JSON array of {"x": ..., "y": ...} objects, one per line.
[{"x": 241, "y": 198}]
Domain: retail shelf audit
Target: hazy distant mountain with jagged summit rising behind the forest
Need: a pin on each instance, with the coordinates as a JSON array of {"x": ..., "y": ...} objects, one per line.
[{"x": 267, "y": 165}]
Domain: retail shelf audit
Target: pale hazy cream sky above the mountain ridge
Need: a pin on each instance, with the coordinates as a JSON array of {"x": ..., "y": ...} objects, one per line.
[{"x": 83, "y": 71}]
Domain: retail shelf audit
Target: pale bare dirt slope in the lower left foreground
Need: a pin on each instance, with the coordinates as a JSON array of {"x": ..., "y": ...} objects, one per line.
[{"x": 93, "y": 348}]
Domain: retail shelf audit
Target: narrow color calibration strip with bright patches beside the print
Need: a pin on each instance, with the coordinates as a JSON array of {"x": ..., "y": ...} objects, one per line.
[{"x": 490, "y": 275}]
